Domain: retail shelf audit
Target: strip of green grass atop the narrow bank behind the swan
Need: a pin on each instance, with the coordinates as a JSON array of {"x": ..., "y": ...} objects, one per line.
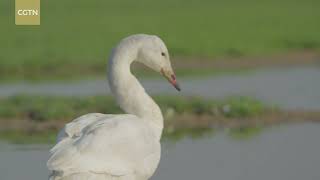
[{"x": 44, "y": 108}]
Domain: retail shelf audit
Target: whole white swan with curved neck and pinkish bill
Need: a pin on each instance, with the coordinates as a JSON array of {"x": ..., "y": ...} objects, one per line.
[{"x": 123, "y": 146}]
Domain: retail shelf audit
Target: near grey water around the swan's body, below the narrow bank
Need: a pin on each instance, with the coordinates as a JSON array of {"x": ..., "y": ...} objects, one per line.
[{"x": 288, "y": 152}]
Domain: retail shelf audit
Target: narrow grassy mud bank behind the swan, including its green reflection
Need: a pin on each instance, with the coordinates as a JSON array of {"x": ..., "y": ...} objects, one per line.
[{"x": 30, "y": 119}]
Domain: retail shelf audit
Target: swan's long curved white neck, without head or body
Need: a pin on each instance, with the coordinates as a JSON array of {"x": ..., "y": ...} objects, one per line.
[{"x": 129, "y": 93}]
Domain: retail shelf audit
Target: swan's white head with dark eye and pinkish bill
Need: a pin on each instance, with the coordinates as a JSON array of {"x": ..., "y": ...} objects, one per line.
[{"x": 154, "y": 54}]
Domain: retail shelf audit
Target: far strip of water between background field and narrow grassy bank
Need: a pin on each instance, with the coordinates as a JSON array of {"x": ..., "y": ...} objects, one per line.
[{"x": 289, "y": 88}]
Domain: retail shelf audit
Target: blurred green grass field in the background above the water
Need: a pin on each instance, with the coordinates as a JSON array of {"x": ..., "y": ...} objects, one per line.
[{"x": 75, "y": 38}]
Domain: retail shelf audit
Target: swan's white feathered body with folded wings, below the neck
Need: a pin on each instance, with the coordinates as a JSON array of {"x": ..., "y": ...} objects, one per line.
[{"x": 98, "y": 146}]
